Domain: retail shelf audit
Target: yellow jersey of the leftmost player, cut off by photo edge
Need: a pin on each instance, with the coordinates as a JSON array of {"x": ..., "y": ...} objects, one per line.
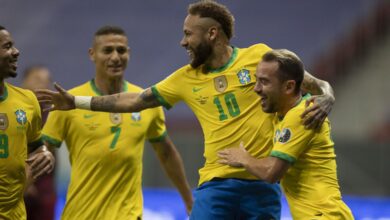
[{"x": 20, "y": 127}]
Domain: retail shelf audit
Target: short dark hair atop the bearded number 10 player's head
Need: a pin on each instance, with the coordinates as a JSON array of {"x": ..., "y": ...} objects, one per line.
[{"x": 216, "y": 11}]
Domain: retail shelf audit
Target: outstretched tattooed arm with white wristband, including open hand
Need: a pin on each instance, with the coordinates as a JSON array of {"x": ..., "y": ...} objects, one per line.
[{"x": 122, "y": 102}]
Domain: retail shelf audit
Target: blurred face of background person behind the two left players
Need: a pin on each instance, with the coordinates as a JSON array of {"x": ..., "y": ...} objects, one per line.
[{"x": 38, "y": 79}]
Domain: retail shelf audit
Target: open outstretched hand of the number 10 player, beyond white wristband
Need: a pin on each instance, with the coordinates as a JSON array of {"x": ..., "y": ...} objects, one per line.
[{"x": 60, "y": 100}]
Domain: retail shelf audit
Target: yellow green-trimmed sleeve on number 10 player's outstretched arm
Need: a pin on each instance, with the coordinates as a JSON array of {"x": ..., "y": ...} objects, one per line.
[{"x": 168, "y": 91}]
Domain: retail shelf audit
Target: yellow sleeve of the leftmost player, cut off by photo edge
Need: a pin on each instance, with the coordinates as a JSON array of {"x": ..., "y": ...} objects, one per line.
[{"x": 34, "y": 132}]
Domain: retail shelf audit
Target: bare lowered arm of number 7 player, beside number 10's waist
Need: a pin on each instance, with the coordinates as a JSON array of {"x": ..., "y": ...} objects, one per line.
[{"x": 173, "y": 165}]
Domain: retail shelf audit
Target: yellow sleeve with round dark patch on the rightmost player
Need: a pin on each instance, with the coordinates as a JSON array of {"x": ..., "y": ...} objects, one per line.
[{"x": 292, "y": 138}]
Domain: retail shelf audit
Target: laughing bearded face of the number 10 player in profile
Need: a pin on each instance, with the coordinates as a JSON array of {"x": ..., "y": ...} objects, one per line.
[{"x": 195, "y": 41}]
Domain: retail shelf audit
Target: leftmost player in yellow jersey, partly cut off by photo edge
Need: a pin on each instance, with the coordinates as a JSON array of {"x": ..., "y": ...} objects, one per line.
[{"x": 20, "y": 135}]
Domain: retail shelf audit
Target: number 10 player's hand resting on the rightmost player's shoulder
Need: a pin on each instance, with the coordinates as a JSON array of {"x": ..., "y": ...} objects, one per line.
[{"x": 315, "y": 114}]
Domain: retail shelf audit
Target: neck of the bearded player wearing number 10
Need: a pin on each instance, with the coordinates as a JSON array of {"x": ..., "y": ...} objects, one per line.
[{"x": 220, "y": 57}]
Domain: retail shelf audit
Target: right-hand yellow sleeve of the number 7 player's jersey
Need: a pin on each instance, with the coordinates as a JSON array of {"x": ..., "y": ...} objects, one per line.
[{"x": 157, "y": 130}]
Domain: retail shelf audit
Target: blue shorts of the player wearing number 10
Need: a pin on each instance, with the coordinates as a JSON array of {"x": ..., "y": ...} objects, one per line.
[{"x": 227, "y": 199}]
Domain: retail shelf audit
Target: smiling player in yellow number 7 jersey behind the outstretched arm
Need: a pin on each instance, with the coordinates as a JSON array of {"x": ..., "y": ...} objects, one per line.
[{"x": 105, "y": 149}]
